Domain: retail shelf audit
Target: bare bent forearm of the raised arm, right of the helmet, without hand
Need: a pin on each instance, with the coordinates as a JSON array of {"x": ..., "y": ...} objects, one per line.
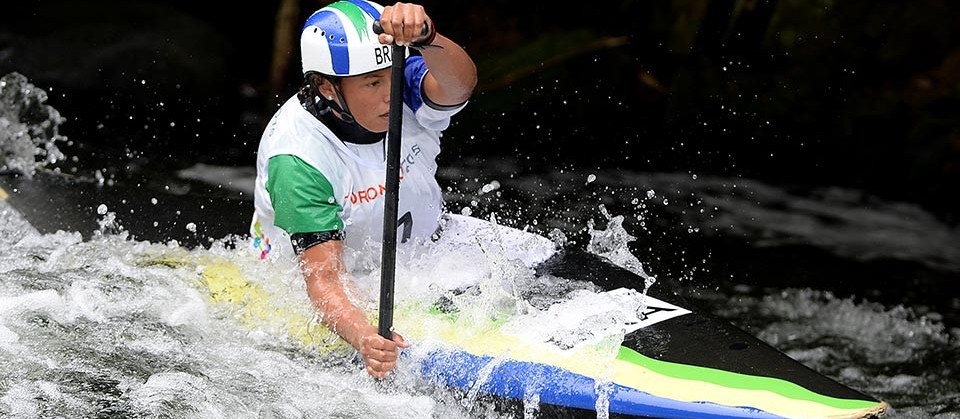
[{"x": 453, "y": 71}]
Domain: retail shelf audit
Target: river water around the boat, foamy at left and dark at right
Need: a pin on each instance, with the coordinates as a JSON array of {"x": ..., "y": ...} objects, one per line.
[{"x": 857, "y": 288}]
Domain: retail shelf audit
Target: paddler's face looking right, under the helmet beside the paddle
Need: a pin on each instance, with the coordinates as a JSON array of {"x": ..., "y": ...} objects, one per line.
[{"x": 368, "y": 98}]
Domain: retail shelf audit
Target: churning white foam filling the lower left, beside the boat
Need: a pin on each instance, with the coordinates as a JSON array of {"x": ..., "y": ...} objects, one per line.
[{"x": 92, "y": 330}]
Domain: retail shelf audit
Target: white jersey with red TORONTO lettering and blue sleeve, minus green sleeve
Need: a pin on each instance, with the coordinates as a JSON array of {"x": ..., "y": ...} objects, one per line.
[{"x": 357, "y": 172}]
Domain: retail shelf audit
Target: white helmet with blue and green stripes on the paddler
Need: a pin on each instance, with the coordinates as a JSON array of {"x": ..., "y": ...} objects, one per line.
[{"x": 338, "y": 40}]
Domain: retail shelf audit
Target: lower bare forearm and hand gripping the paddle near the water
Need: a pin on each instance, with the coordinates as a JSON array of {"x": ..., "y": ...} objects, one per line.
[{"x": 323, "y": 270}]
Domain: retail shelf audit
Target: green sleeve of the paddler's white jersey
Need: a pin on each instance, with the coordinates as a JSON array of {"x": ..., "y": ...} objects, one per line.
[{"x": 302, "y": 198}]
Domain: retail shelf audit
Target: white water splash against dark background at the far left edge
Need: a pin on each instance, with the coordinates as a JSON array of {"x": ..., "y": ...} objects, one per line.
[{"x": 29, "y": 128}]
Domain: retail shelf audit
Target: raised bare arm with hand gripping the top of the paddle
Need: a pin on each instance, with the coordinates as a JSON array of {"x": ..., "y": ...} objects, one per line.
[{"x": 453, "y": 75}]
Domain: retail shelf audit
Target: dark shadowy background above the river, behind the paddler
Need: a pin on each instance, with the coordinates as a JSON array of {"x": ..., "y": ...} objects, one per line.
[{"x": 861, "y": 94}]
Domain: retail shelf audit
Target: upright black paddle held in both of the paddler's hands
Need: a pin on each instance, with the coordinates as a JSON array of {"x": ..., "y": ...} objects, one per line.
[{"x": 388, "y": 258}]
